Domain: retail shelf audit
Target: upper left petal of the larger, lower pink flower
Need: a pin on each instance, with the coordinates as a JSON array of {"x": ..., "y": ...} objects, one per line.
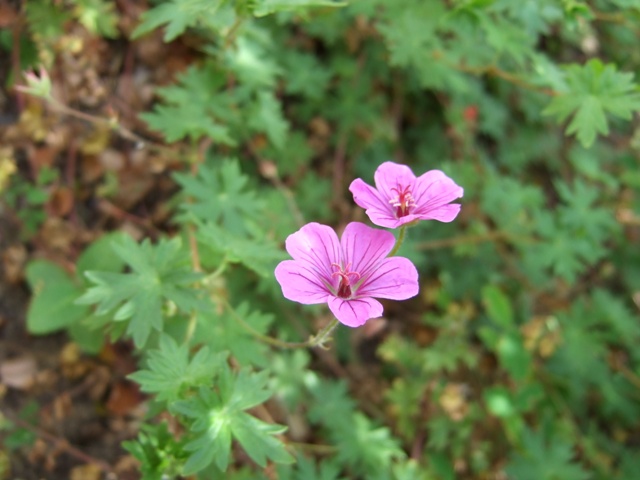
[{"x": 315, "y": 247}]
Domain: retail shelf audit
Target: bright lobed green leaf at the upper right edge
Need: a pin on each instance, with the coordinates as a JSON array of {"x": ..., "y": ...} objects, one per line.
[{"x": 592, "y": 91}]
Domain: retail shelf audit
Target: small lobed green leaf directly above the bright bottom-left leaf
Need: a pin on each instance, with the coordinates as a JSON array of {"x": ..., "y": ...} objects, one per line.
[{"x": 170, "y": 372}]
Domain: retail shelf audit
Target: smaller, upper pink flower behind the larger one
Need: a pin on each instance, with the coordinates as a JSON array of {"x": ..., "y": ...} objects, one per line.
[{"x": 400, "y": 198}]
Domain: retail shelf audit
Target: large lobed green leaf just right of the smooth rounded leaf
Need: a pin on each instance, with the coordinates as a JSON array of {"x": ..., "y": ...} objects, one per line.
[{"x": 159, "y": 273}]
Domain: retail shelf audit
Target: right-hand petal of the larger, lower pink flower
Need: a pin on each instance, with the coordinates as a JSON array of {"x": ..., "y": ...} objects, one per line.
[{"x": 396, "y": 278}]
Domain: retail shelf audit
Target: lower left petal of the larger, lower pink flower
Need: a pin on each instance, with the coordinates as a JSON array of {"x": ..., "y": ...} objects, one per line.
[{"x": 300, "y": 283}]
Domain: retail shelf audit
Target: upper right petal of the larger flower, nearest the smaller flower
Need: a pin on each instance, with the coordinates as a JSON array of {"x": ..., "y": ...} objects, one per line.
[{"x": 365, "y": 247}]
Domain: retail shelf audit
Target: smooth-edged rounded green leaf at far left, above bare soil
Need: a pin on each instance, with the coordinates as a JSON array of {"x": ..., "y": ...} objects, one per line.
[{"x": 54, "y": 293}]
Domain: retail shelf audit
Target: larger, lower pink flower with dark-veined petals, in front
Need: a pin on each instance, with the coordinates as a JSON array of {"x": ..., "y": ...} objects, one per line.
[{"x": 345, "y": 273}]
